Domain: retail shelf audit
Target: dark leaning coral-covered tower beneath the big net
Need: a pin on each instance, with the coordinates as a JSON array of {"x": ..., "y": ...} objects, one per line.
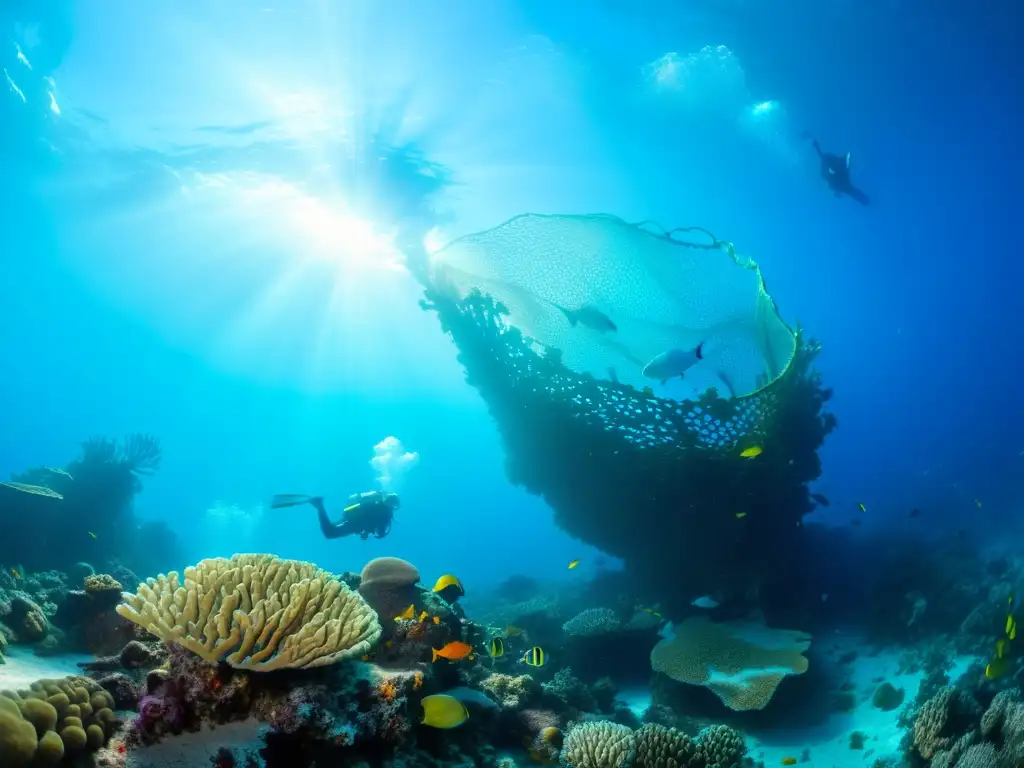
[{"x": 571, "y": 439}]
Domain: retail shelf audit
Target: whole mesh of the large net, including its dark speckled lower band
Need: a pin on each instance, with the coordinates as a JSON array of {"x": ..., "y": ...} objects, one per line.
[{"x": 498, "y": 294}]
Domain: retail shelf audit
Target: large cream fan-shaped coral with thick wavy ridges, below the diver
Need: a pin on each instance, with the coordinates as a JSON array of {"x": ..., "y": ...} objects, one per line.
[{"x": 257, "y": 613}]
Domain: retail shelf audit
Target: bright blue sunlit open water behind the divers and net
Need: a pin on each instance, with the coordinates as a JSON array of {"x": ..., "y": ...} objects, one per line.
[{"x": 179, "y": 187}]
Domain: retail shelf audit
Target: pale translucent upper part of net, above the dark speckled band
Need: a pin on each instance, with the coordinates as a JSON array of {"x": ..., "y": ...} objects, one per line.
[{"x": 661, "y": 293}]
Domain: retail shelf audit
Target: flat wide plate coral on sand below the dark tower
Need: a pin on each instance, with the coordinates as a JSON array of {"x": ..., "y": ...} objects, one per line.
[{"x": 741, "y": 662}]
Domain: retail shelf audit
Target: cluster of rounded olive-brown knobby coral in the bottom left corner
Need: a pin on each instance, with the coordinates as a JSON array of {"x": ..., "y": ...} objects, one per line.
[{"x": 53, "y": 719}]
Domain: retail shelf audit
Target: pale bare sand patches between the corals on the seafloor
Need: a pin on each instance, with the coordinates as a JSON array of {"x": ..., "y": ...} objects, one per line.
[{"x": 828, "y": 744}]
